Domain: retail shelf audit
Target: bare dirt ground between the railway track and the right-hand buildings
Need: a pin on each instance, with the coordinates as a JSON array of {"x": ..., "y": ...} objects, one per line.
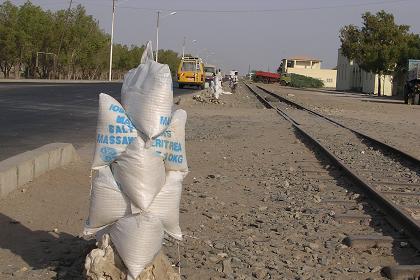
[{"x": 384, "y": 118}]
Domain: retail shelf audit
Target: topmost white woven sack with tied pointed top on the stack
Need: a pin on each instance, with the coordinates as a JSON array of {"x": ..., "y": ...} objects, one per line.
[{"x": 147, "y": 95}]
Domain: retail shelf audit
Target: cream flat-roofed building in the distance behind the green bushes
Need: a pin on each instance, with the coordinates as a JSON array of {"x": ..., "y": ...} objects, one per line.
[{"x": 310, "y": 67}]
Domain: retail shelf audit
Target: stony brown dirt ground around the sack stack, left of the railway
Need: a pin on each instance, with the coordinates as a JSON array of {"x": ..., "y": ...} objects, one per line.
[{"x": 254, "y": 206}]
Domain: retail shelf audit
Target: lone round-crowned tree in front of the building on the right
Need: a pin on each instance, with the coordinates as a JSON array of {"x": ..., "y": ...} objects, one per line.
[{"x": 377, "y": 45}]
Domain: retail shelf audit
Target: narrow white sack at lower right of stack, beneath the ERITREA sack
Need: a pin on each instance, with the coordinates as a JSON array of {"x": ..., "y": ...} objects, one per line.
[{"x": 165, "y": 206}]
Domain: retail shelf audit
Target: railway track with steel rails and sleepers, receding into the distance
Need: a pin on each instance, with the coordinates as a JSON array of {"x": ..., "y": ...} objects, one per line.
[{"x": 388, "y": 176}]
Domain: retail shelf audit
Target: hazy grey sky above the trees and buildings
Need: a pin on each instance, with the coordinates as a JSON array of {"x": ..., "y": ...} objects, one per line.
[{"x": 238, "y": 33}]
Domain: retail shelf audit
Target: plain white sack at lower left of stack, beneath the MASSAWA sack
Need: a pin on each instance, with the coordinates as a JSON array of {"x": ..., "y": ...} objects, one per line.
[{"x": 107, "y": 202}]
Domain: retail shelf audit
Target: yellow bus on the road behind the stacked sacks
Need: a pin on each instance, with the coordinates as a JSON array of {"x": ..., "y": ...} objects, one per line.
[{"x": 191, "y": 72}]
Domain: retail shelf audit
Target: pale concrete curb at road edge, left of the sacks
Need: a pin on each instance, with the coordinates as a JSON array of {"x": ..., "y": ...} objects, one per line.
[{"x": 23, "y": 168}]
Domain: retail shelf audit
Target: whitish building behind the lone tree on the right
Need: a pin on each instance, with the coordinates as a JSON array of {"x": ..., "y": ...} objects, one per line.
[{"x": 351, "y": 77}]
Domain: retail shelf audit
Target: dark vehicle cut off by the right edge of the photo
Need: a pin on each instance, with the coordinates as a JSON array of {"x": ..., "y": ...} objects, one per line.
[{"x": 412, "y": 85}]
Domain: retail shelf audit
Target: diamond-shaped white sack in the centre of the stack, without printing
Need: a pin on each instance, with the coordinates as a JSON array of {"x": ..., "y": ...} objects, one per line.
[{"x": 140, "y": 173}]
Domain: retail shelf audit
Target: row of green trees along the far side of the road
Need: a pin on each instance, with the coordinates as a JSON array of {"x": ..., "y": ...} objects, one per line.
[{"x": 64, "y": 43}]
